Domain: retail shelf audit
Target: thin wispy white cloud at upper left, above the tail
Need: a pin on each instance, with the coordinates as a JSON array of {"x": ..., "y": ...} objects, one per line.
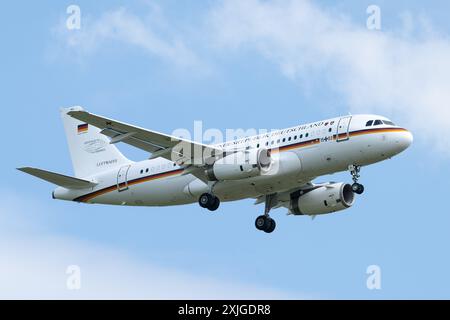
[{"x": 151, "y": 34}]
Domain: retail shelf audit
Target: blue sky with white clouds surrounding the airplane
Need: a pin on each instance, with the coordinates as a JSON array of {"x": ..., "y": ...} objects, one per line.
[{"x": 232, "y": 64}]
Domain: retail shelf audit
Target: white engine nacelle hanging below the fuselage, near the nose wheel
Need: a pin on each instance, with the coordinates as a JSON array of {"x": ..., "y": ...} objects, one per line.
[{"x": 323, "y": 199}]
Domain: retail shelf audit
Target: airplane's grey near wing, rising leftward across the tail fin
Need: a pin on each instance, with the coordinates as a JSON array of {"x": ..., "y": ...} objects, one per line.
[{"x": 183, "y": 152}]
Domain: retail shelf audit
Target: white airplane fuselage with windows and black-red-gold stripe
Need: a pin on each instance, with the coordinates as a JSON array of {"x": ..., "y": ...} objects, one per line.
[{"x": 305, "y": 152}]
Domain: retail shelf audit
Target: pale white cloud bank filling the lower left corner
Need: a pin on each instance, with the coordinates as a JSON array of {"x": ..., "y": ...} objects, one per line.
[{"x": 34, "y": 263}]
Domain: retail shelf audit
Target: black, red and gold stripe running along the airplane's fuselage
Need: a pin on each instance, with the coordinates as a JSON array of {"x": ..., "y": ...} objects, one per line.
[{"x": 303, "y": 144}]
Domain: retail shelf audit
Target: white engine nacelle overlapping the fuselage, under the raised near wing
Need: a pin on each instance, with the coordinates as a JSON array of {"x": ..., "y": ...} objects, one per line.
[{"x": 240, "y": 165}]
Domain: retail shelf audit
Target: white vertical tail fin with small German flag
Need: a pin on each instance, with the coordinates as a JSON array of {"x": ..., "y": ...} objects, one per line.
[{"x": 90, "y": 150}]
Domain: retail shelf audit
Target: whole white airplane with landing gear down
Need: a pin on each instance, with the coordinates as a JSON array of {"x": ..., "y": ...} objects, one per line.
[{"x": 276, "y": 168}]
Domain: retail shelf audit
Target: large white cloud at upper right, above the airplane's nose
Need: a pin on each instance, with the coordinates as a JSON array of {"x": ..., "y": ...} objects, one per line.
[{"x": 405, "y": 75}]
